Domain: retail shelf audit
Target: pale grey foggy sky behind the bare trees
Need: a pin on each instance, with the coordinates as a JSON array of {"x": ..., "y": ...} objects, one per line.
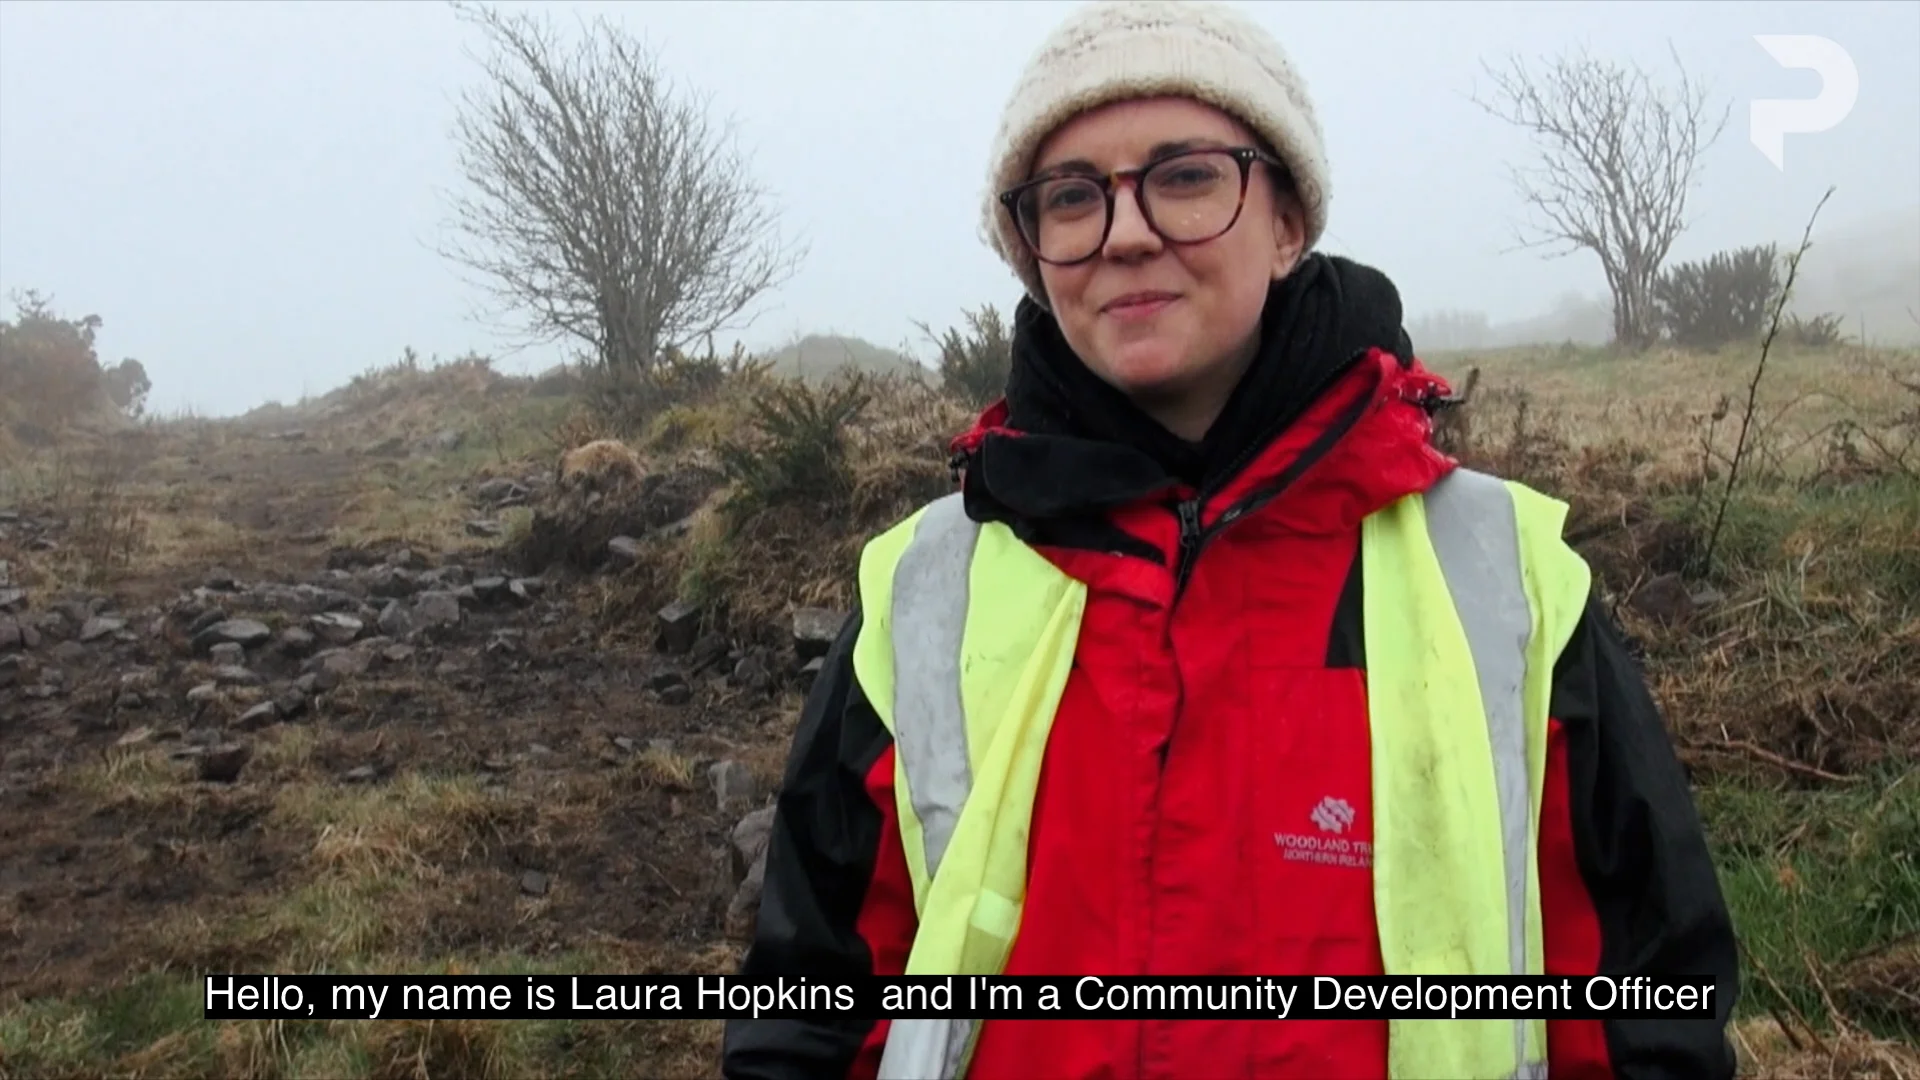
[{"x": 249, "y": 193}]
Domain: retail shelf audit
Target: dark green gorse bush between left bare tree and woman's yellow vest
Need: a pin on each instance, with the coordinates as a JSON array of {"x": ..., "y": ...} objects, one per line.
[{"x": 796, "y": 451}]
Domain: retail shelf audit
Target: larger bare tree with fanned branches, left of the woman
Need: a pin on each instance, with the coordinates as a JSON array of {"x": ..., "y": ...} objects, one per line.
[{"x": 602, "y": 203}]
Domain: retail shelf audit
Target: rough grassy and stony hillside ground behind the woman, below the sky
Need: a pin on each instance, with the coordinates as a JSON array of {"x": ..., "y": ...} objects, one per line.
[{"x": 514, "y": 756}]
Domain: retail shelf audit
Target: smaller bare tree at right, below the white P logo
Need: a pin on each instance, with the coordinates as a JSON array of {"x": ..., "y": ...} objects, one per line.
[{"x": 1618, "y": 160}]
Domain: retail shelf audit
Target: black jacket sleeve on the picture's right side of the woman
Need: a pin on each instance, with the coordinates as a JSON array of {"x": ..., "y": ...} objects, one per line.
[{"x": 1644, "y": 856}]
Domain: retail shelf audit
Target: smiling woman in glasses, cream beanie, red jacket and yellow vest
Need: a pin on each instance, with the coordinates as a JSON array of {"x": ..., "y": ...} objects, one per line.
[{"x": 1178, "y": 683}]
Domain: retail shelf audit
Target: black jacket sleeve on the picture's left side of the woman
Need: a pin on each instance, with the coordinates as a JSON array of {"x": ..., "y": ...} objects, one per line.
[{"x": 819, "y": 864}]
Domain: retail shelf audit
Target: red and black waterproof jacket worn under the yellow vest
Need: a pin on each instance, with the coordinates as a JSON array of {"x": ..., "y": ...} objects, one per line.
[{"x": 1216, "y": 700}]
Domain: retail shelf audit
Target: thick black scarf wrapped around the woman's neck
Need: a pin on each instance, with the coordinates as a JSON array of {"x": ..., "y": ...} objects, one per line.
[{"x": 1318, "y": 322}]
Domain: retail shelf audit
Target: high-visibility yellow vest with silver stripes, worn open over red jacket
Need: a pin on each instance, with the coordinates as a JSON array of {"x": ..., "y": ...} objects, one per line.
[{"x": 967, "y": 645}]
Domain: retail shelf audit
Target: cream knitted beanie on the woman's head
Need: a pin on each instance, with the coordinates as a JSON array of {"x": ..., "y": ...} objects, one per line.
[{"x": 1136, "y": 49}]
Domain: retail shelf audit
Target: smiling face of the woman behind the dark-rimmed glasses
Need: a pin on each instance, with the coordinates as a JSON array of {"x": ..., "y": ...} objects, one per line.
[{"x": 1172, "y": 326}]
